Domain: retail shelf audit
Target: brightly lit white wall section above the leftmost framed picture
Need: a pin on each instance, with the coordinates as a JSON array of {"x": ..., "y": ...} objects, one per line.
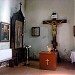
[{"x": 5, "y": 11}]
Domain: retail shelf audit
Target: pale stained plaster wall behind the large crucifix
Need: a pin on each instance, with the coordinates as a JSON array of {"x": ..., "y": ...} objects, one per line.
[{"x": 39, "y": 10}]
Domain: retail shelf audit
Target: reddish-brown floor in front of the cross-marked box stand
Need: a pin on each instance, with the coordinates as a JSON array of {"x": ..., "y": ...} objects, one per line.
[{"x": 63, "y": 68}]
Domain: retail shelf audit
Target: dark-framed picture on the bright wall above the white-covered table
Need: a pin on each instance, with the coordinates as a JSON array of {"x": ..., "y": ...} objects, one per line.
[{"x": 4, "y": 32}]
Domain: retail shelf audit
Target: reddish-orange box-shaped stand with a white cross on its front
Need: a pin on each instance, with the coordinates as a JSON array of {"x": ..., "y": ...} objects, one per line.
[{"x": 48, "y": 60}]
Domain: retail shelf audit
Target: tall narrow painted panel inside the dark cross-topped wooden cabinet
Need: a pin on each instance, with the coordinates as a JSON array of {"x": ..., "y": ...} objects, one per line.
[{"x": 18, "y": 34}]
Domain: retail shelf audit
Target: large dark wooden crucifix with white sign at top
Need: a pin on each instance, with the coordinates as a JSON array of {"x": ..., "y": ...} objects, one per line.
[{"x": 54, "y": 22}]
